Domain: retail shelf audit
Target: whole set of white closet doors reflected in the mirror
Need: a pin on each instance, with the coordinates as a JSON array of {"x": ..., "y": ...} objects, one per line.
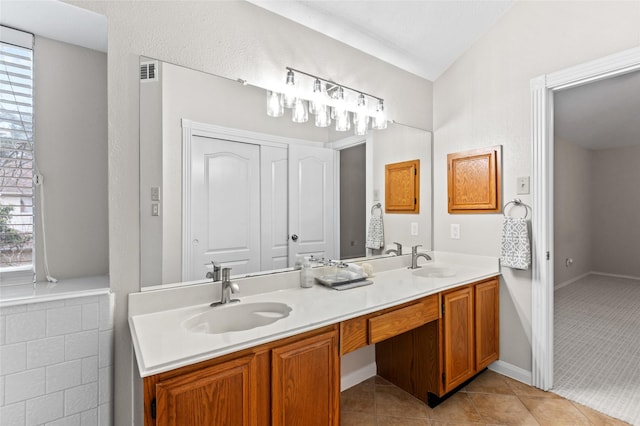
[{"x": 243, "y": 208}]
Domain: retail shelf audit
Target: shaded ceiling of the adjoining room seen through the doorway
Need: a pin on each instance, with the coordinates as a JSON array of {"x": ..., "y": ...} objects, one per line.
[{"x": 600, "y": 115}]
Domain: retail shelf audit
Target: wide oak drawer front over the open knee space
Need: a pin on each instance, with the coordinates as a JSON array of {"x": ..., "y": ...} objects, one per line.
[{"x": 404, "y": 319}]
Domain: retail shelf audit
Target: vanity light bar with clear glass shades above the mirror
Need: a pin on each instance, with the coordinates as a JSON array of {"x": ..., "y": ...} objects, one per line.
[{"x": 326, "y": 101}]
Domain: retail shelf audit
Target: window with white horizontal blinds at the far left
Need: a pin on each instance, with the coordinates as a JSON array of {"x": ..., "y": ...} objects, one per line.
[{"x": 16, "y": 153}]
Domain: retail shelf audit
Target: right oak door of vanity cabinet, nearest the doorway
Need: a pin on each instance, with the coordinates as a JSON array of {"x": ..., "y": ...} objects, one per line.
[{"x": 487, "y": 323}]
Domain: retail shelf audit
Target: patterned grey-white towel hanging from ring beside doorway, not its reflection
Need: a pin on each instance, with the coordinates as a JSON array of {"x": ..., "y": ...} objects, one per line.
[{"x": 516, "y": 248}]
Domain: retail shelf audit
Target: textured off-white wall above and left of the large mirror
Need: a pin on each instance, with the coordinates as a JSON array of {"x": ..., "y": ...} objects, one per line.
[{"x": 233, "y": 39}]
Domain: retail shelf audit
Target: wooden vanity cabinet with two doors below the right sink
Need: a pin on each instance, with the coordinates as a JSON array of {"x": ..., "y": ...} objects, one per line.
[{"x": 434, "y": 359}]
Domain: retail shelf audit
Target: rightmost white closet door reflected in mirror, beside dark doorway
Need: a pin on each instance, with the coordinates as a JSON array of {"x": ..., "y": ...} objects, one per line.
[{"x": 311, "y": 202}]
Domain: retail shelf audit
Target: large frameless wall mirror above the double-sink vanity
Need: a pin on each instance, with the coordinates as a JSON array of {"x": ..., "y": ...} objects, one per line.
[{"x": 222, "y": 181}]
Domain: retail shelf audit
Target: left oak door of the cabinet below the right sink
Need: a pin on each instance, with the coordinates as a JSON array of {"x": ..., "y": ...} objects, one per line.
[{"x": 458, "y": 337}]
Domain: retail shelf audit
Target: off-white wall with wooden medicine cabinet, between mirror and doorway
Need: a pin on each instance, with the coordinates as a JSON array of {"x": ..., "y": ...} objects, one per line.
[{"x": 483, "y": 100}]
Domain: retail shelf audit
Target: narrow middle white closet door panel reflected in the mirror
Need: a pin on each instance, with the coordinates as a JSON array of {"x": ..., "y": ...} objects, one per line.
[{"x": 275, "y": 215}]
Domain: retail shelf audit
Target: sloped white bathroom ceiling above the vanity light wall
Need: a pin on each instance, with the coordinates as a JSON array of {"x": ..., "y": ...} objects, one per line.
[{"x": 423, "y": 37}]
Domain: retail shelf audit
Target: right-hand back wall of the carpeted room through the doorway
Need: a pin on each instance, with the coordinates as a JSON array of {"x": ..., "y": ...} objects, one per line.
[{"x": 615, "y": 242}]
